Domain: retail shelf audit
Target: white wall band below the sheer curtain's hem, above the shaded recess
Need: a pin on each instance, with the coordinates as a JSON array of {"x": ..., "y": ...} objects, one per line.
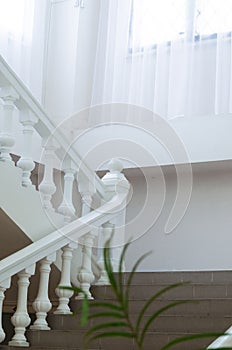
[{"x": 147, "y": 143}]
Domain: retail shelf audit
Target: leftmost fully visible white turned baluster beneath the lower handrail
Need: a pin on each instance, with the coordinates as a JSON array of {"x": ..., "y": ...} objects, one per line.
[{"x": 21, "y": 319}]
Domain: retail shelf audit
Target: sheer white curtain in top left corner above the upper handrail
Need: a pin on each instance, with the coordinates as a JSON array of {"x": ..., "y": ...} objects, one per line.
[{"x": 22, "y": 39}]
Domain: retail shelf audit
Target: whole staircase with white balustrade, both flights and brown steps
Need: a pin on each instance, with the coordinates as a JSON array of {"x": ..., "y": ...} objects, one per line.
[{"x": 59, "y": 243}]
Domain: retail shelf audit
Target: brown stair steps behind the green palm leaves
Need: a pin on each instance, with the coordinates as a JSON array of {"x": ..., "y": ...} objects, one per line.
[{"x": 209, "y": 311}]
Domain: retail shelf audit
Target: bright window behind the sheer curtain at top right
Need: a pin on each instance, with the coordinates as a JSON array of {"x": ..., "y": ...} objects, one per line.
[{"x": 156, "y": 21}]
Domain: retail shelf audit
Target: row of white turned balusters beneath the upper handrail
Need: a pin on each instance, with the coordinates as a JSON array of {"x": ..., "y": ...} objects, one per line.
[{"x": 8, "y": 98}]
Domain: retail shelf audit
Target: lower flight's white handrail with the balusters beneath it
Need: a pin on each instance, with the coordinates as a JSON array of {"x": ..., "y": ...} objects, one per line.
[{"x": 44, "y": 251}]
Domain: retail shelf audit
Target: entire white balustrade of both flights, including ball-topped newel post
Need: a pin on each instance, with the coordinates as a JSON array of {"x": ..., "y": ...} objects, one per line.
[{"x": 113, "y": 190}]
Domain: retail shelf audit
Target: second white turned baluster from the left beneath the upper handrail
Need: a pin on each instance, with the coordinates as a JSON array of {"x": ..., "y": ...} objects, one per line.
[{"x": 26, "y": 163}]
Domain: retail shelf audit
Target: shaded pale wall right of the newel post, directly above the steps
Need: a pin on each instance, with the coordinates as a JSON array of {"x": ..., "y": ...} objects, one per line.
[{"x": 202, "y": 240}]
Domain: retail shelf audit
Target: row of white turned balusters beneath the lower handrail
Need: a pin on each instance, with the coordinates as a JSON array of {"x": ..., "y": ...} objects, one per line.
[{"x": 42, "y": 305}]
